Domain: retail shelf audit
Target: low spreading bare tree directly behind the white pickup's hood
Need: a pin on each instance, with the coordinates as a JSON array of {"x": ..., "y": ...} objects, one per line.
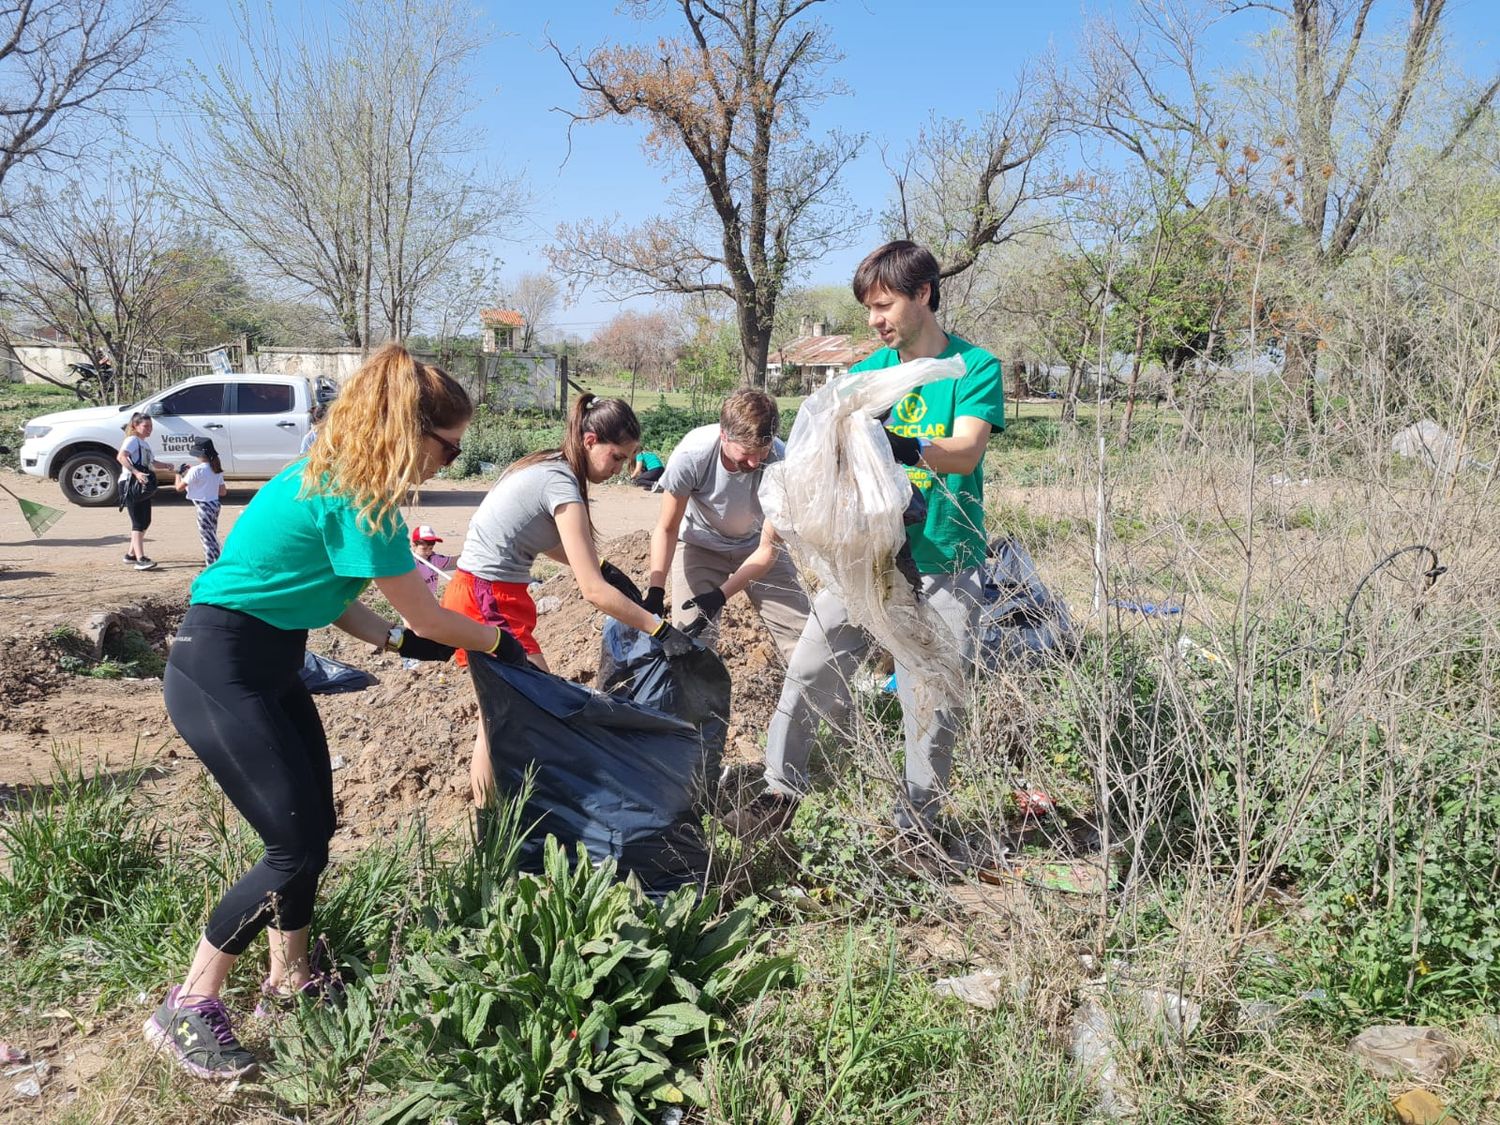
[{"x": 115, "y": 269}]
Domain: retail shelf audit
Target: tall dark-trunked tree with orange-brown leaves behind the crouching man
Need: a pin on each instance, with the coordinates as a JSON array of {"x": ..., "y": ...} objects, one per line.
[{"x": 730, "y": 98}]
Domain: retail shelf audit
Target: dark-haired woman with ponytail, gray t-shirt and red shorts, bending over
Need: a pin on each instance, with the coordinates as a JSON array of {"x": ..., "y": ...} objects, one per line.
[{"x": 541, "y": 508}]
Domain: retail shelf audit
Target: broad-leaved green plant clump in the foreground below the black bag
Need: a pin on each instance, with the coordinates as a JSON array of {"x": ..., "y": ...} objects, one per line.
[{"x": 557, "y": 997}]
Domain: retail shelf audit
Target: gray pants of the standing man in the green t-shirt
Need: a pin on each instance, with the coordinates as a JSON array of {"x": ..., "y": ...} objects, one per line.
[{"x": 818, "y": 688}]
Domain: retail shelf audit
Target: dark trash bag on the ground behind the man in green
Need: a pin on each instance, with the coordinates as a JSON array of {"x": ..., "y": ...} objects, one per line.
[{"x": 1022, "y": 623}]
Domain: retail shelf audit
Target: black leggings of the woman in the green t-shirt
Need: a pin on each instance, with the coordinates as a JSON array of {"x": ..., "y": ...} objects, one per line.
[{"x": 235, "y": 695}]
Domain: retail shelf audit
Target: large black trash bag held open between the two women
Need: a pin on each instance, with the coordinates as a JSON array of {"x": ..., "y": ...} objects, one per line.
[{"x": 619, "y": 778}]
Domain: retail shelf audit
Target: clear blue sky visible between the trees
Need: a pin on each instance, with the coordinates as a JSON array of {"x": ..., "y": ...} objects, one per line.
[{"x": 904, "y": 61}]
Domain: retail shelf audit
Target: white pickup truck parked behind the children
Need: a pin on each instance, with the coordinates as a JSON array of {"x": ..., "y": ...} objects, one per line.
[{"x": 257, "y": 424}]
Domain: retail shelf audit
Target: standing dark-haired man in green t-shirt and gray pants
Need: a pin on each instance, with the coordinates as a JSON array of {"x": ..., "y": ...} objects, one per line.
[{"x": 940, "y": 434}]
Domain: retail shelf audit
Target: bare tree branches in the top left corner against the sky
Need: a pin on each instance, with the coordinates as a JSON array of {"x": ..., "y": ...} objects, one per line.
[{"x": 64, "y": 62}]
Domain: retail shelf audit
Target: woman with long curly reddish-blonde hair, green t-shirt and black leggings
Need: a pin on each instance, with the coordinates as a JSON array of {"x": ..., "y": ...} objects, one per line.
[{"x": 299, "y": 559}]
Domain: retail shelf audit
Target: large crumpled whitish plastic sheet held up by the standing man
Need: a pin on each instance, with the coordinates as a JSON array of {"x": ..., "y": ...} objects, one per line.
[{"x": 838, "y": 500}]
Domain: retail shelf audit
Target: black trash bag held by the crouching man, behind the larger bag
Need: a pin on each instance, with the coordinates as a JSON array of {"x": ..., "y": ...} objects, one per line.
[{"x": 695, "y": 688}]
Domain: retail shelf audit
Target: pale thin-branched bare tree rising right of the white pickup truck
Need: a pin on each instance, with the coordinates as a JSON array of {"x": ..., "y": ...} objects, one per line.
[{"x": 332, "y": 157}]
